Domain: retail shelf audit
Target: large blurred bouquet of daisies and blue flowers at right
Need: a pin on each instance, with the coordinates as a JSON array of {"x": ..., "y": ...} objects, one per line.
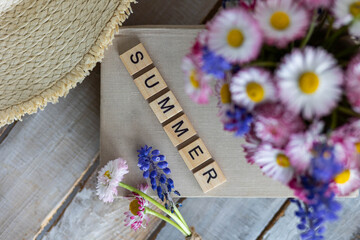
[{"x": 287, "y": 77}]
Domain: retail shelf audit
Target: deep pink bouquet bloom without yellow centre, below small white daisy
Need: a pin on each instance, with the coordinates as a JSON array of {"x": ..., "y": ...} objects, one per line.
[{"x": 274, "y": 124}]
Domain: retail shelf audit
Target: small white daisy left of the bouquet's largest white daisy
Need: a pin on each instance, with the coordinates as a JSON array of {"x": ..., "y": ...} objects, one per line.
[{"x": 251, "y": 87}]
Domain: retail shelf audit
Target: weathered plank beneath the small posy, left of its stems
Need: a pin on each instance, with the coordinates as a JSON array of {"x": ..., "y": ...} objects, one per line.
[{"x": 88, "y": 218}]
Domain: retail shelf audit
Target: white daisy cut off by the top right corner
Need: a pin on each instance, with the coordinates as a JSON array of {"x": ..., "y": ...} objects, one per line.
[{"x": 347, "y": 11}]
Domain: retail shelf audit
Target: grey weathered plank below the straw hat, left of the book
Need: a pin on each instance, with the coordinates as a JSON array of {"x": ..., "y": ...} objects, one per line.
[{"x": 43, "y": 156}]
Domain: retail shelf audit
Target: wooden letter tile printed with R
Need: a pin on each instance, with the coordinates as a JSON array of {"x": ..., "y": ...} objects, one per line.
[{"x": 210, "y": 177}]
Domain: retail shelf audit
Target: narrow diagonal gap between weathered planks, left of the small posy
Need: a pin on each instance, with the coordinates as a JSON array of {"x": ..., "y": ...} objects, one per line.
[{"x": 55, "y": 214}]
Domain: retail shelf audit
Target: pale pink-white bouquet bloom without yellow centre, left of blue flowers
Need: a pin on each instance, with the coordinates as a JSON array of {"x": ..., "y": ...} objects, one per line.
[{"x": 300, "y": 145}]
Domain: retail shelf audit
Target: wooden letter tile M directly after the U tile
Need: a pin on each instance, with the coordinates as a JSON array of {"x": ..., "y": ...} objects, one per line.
[{"x": 165, "y": 107}]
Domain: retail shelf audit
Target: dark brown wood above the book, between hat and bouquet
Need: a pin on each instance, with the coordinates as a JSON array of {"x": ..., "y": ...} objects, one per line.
[{"x": 168, "y": 12}]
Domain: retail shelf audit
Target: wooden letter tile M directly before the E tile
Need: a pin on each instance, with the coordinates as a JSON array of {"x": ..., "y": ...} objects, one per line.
[{"x": 179, "y": 130}]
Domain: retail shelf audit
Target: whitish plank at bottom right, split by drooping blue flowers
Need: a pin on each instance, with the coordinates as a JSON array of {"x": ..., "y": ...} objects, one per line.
[{"x": 347, "y": 227}]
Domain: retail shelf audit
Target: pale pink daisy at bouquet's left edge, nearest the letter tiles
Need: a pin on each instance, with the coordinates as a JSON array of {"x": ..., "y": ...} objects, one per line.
[{"x": 196, "y": 82}]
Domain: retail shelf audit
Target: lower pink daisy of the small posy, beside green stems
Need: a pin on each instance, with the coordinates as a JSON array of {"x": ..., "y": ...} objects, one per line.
[{"x": 136, "y": 217}]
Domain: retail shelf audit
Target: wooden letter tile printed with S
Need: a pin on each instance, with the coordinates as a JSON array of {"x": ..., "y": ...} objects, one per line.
[{"x": 136, "y": 59}]
